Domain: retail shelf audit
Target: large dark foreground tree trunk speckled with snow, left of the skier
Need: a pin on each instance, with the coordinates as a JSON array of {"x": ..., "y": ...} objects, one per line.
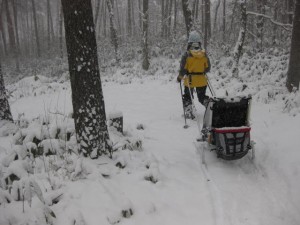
[{"x": 87, "y": 96}]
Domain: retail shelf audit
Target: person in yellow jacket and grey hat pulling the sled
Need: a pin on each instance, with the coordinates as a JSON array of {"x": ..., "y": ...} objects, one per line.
[{"x": 193, "y": 67}]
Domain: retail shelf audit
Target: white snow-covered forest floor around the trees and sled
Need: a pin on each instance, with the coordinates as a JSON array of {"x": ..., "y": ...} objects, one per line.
[{"x": 162, "y": 182}]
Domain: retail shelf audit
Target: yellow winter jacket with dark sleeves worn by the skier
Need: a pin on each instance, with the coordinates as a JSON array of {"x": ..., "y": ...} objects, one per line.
[{"x": 194, "y": 64}]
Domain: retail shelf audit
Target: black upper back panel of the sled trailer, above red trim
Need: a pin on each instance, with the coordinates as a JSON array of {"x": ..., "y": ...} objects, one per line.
[{"x": 230, "y": 113}]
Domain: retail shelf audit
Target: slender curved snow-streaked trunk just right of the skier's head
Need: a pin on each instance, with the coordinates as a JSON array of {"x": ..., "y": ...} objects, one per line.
[{"x": 240, "y": 42}]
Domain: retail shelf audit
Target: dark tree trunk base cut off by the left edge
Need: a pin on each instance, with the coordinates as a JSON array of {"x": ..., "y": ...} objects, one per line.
[{"x": 5, "y": 113}]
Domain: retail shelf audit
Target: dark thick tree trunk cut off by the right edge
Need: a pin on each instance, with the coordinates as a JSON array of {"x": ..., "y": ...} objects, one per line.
[{"x": 293, "y": 76}]
